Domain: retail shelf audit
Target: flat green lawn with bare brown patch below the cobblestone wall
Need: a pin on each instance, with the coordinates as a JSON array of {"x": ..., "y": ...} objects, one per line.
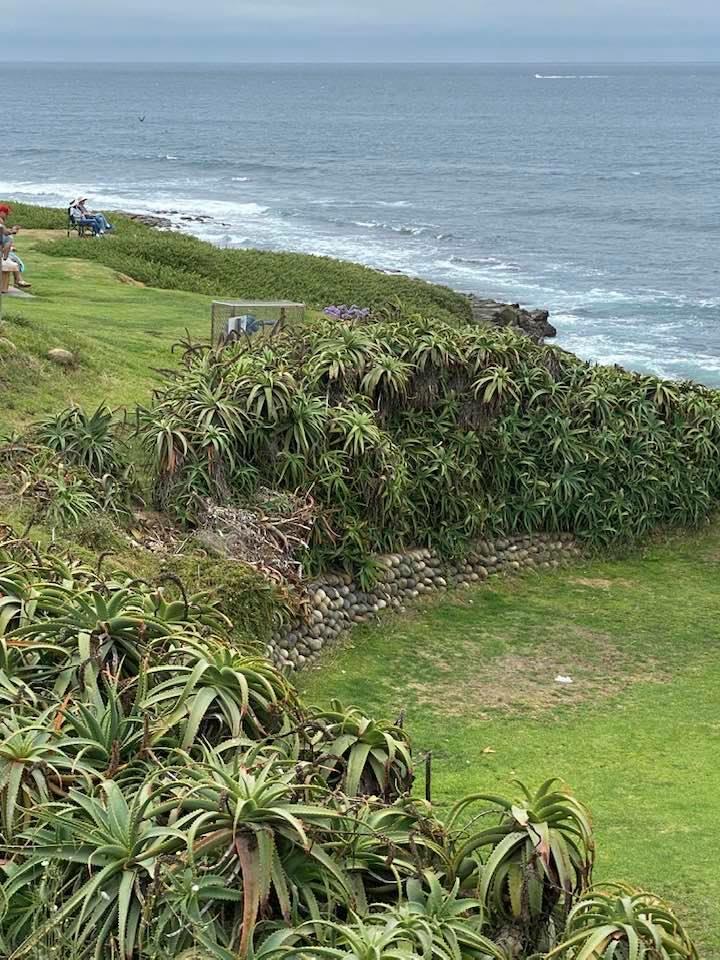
[{"x": 637, "y": 734}]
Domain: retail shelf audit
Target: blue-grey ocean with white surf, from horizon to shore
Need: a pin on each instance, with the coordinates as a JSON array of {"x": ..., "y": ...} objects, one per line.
[{"x": 591, "y": 190}]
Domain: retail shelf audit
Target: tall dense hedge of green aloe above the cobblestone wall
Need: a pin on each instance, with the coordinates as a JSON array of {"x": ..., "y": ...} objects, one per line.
[{"x": 413, "y": 431}]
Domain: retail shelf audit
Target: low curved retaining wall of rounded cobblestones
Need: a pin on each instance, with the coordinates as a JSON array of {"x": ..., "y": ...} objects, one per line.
[{"x": 336, "y": 602}]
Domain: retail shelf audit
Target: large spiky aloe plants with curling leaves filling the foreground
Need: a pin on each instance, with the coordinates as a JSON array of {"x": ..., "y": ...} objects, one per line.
[{"x": 164, "y": 794}]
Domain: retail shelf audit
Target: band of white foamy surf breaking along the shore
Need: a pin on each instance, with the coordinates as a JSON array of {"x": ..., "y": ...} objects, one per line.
[{"x": 636, "y": 331}]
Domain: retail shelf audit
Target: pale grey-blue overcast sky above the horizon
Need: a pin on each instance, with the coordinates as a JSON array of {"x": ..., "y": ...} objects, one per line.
[{"x": 329, "y": 30}]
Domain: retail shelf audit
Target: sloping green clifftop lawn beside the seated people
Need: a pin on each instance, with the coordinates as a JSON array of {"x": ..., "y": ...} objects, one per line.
[{"x": 119, "y": 331}]
